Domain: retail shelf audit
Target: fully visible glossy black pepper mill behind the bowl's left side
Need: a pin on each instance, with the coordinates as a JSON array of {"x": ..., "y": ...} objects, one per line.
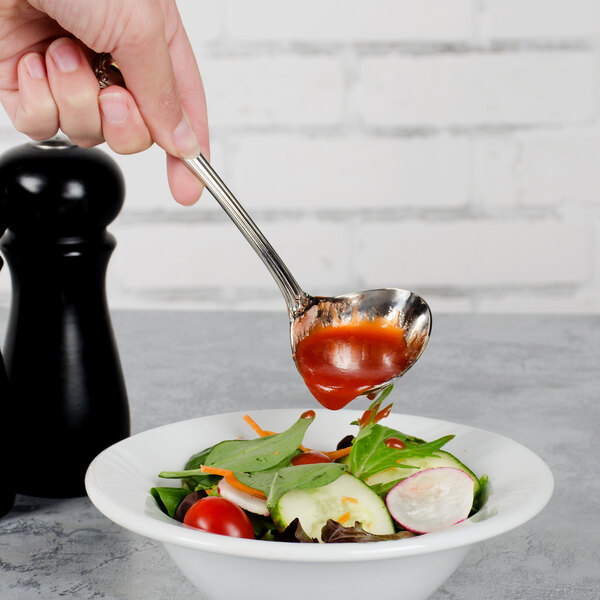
[{"x": 69, "y": 398}]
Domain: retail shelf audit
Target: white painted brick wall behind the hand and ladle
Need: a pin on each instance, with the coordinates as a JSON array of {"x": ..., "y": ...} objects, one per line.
[{"x": 448, "y": 146}]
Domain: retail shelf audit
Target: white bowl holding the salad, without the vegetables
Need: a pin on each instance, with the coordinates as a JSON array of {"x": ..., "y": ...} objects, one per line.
[{"x": 224, "y": 568}]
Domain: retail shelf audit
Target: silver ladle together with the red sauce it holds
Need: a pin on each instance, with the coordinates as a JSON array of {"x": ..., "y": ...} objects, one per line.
[{"x": 343, "y": 346}]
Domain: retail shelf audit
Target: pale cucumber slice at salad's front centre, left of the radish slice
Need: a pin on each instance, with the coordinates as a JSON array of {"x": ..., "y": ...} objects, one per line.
[{"x": 347, "y": 500}]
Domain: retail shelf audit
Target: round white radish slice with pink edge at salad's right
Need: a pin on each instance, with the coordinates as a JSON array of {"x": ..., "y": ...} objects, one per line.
[{"x": 431, "y": 499}]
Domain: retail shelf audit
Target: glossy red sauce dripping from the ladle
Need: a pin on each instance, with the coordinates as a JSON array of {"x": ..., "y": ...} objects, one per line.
[{"x": 338, "y": 363}]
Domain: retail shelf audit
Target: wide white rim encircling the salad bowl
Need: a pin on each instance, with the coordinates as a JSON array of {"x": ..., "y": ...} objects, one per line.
[{"x": 539, "y": 478}]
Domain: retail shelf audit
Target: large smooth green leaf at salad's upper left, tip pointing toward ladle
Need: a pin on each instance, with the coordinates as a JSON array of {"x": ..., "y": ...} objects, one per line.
[{"x": 260, "y": 454}]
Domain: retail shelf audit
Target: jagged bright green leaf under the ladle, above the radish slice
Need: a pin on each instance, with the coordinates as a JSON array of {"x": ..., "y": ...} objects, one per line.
[{"x": 370, "y": 455}]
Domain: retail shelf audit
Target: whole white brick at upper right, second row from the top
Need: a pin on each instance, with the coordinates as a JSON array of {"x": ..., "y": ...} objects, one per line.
[{"x": 503, "y": 88}]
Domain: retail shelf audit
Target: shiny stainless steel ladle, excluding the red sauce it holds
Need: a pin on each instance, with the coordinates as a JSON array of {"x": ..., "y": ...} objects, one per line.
[{"x": 399, "y": 308}]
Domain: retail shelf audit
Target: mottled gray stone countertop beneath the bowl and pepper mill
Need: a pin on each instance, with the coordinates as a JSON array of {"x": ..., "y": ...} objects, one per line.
[{"x": 535, "y": 379}]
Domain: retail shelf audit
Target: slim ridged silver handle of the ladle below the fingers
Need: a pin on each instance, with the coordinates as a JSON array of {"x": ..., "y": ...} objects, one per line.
[{"x": 292, "y": 292}]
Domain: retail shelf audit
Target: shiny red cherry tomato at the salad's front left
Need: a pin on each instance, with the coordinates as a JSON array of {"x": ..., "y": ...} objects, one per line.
[{"x": 218, "y": 515}]
